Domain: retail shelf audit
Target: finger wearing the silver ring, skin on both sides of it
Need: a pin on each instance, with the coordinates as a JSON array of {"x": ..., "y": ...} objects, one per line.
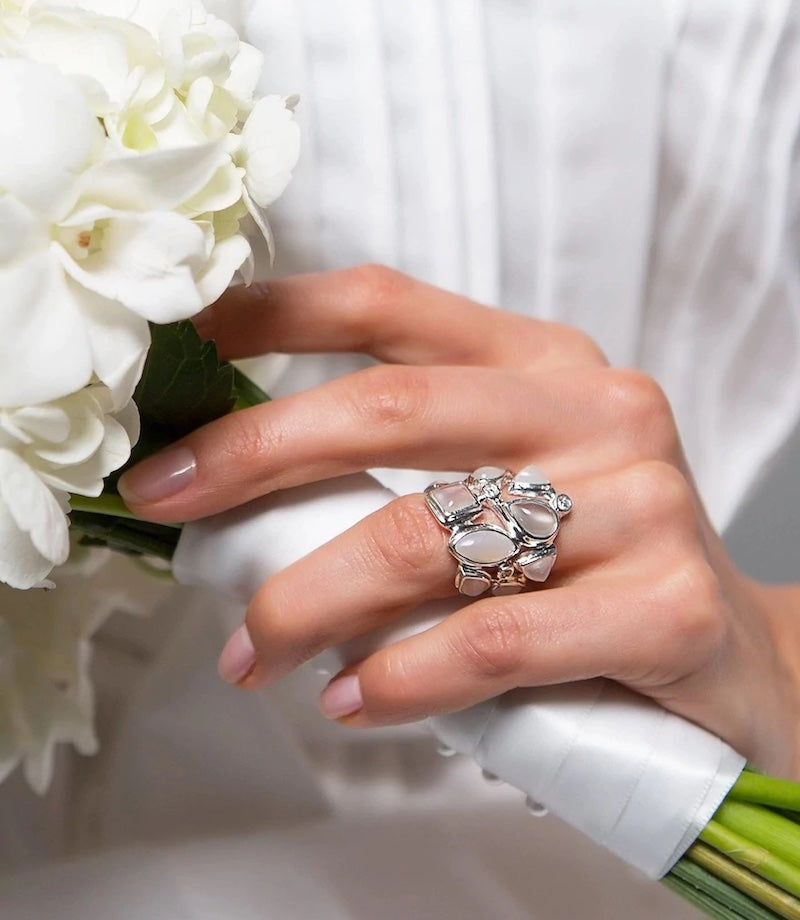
[{"x": 396, "y": 559}]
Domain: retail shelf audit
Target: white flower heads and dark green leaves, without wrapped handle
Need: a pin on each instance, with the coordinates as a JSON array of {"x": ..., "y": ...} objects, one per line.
[{"x": 134, "y": 160}]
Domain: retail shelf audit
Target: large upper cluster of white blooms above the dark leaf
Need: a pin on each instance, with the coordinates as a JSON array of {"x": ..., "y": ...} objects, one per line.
[{"x": 122, "y": 187}]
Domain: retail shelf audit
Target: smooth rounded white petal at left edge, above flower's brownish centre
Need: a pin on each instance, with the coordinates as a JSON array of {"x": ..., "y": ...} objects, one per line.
[{"x": 47, "y": 125}]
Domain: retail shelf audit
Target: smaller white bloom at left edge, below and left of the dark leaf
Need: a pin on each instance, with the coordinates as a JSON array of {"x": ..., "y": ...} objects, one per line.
[{"x": 46, "y": 452}]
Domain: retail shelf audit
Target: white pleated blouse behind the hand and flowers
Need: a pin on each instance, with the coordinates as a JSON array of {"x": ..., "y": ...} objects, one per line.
[{"x": 626, "y": 167}]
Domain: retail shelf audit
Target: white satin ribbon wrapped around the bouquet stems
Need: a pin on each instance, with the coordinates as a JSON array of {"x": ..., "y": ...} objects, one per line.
[{"x": 636, "y": 779}]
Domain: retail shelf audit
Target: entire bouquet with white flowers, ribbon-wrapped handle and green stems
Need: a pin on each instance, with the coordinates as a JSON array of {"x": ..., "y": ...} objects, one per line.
[{"x": 133, "y": 156}]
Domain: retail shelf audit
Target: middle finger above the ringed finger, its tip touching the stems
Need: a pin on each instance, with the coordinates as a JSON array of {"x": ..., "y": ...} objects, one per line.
[{"x": 394, "y": 416}]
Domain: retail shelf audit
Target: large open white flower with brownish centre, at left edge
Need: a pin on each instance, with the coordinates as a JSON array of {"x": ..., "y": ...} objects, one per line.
[{"x": 90, "y": 248}]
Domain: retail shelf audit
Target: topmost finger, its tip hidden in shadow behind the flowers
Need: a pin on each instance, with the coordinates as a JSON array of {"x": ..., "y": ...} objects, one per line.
[{"x": 380, "y": 312}]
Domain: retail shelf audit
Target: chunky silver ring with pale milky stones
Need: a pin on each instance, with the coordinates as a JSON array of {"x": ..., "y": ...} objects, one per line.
[{"x": 503, "y": 527}]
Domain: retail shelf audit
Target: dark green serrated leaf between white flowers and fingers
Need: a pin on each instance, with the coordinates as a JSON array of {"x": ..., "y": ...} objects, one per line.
[{"x": 184, "y": 384}]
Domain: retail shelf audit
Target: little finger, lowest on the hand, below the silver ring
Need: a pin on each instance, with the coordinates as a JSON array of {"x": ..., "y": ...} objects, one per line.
[{"x": 563, "y": 634}]
